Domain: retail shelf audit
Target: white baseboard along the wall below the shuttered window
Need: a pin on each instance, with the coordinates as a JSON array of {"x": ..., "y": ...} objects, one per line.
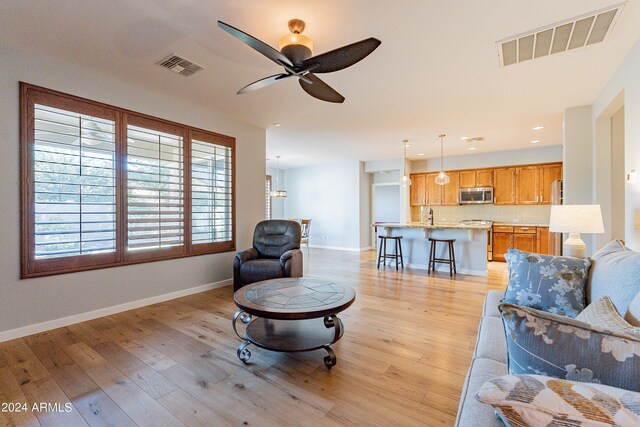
[{"x": 106, "y": 311}]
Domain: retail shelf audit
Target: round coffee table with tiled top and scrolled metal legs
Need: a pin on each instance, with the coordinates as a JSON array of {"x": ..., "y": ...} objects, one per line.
[{"x": 284, "y": 315}]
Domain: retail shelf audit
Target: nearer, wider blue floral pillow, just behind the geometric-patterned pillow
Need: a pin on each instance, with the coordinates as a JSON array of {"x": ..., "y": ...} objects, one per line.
[{"x": 547, "y": 344}]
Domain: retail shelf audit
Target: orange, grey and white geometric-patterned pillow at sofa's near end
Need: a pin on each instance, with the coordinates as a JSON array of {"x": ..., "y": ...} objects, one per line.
[{"x": 533, "y": 400}]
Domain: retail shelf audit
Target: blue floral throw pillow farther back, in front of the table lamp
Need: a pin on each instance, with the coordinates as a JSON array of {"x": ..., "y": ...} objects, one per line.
[{"x": 549, "y": 283}]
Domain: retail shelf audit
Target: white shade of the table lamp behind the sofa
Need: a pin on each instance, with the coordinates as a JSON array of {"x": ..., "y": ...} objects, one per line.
[{"x": 576, "y": 219}]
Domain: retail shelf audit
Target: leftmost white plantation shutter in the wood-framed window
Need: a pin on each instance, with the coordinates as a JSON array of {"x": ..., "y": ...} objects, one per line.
[{"x": 74, "y": 184}]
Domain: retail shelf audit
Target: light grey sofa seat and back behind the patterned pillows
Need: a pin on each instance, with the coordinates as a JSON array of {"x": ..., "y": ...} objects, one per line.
[{"x": 614, "y": 272}]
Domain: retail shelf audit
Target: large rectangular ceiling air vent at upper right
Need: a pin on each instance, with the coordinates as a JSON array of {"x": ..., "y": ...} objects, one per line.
[{"x": 574, "y": 33}]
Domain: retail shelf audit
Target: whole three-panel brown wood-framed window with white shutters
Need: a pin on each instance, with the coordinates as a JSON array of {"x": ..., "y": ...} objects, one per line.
[{"x": 103, "y": 187}]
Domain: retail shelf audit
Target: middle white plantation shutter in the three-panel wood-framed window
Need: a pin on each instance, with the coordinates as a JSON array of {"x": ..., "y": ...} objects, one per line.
[{"x": 155, "y": 189}]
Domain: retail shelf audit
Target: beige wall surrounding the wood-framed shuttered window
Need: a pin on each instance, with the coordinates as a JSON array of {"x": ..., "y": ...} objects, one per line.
[{"x": 27, "y": 302}]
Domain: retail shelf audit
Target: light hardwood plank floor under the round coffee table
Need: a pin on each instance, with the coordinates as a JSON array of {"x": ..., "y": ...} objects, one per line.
[{"x": 402, "y": 361}]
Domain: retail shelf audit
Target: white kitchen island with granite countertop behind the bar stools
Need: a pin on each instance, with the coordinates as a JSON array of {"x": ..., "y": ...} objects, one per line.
[{"x": 470, "y": 246}]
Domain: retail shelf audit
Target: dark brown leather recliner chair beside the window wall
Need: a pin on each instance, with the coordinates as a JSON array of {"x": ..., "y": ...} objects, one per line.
[{"x": 275, "y": 253}]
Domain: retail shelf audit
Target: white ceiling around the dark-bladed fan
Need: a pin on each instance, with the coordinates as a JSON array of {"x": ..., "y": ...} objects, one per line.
[{"x": 436, "y": 71}]
